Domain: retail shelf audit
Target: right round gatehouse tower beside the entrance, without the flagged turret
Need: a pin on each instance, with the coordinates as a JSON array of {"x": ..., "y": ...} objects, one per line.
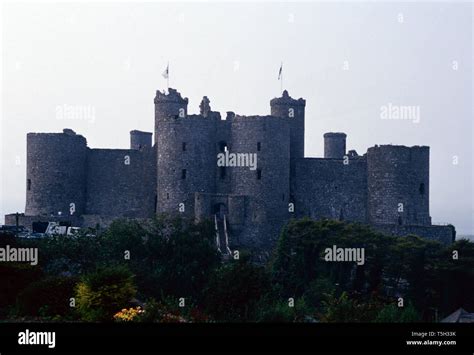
[{"x": 267, "y": 183}]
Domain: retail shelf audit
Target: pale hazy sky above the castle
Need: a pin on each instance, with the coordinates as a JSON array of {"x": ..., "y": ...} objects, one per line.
[{"x": 346, "y": 59}]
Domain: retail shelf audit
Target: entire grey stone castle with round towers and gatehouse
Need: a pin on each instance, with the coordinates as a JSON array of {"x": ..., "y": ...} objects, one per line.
[{"x": 176, "y": 172}]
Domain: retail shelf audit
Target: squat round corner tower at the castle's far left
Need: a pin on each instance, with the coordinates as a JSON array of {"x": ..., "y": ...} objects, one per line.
[{"x": 55, "y": 173}]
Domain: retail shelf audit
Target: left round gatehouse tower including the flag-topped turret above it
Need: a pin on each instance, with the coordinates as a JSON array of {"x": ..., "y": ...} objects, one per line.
[{"x": 186, "y": 152}]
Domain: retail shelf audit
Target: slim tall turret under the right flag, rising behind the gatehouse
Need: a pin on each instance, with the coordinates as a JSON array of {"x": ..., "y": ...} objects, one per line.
[{"x": 288, "y": 107}]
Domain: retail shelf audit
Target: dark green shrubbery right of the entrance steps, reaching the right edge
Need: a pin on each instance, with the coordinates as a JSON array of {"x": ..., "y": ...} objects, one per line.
[{"x": 414, "y": 267}]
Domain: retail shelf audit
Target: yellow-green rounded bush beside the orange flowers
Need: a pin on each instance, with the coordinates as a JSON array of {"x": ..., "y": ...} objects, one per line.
[{"x": 103, "y": 293}]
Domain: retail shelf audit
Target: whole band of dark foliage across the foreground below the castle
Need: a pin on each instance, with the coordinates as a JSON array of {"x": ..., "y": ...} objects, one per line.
[{"x": 168, "y": 270}]
